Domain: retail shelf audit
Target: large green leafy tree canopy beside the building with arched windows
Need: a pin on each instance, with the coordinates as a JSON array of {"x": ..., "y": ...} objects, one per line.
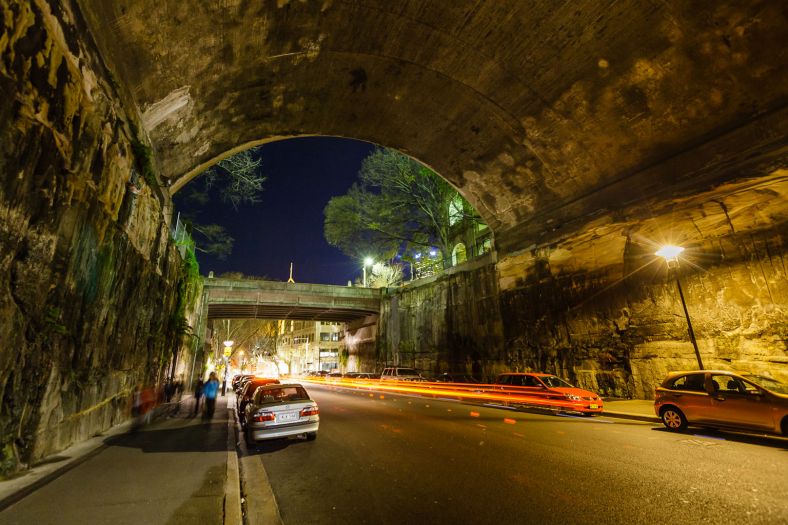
[{"x": 397, "y": 205}]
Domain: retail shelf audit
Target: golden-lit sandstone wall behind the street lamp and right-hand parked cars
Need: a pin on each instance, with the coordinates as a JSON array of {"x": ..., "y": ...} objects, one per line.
[{"x": 617, "y": 330}]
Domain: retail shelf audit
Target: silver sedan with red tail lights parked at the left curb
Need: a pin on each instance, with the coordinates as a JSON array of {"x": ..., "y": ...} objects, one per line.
[{"x": 279, "y": 411}]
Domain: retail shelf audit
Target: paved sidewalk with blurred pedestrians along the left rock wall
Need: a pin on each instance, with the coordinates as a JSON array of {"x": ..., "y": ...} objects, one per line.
[{"x": 177, "y": 470}]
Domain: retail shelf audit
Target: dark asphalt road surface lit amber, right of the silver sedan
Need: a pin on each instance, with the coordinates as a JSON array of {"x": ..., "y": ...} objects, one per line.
[{"x": 398, "y": 459}]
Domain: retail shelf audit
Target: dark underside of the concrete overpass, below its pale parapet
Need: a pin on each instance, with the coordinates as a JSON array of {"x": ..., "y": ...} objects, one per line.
[{"x": 298, "y": 313}]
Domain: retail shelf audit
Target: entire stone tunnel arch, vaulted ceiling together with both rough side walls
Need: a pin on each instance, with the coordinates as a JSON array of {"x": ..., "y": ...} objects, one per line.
[{"x": 575, "y": 130}]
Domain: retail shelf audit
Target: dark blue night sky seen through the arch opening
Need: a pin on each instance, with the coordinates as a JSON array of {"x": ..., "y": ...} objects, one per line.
[{"x": 303, "y": 174}]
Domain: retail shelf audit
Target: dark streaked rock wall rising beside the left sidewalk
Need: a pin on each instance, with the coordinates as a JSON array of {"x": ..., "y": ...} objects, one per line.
[{"x": 88, "y": 275}]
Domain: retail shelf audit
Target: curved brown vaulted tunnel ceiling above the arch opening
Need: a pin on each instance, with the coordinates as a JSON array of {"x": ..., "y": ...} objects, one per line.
[{"x": 545, "y": 114}]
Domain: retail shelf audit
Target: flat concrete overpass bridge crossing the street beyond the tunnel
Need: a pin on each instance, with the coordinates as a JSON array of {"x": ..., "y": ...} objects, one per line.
[{"x": 257, "y": 299}]
